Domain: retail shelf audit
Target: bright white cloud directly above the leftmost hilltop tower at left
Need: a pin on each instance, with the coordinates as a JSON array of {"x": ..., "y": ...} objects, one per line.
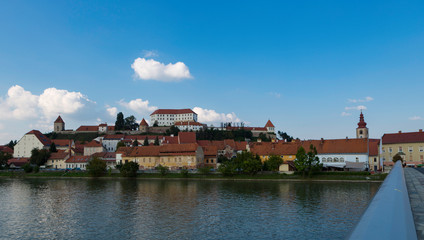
[{"x": 55, "y": 101}]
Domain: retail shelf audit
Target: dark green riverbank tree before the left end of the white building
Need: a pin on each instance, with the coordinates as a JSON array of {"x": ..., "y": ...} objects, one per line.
[{"x": 307, "y": 162}]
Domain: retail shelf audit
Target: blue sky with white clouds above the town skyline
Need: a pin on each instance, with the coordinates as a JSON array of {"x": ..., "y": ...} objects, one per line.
[{"x": 306, "y": 65}]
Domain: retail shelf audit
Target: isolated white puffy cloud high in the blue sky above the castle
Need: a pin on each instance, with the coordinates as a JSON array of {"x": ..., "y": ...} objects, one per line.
[{"x": 149, "y": 69}]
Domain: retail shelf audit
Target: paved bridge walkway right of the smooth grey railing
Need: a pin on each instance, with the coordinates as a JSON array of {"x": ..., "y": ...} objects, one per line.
[{"x": 415, "y": 184}]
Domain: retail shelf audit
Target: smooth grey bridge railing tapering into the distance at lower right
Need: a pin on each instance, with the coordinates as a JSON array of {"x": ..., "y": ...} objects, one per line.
[{"x": 389, "y": 214}]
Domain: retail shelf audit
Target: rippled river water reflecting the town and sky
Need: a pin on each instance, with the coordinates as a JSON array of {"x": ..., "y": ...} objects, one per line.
[{"x": 179, "y": 209}]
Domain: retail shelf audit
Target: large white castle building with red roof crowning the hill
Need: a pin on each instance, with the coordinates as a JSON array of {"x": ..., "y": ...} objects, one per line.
[{"x": 168, "y": 117}]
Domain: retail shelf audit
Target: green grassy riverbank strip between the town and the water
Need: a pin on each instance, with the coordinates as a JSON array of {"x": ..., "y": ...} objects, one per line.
[{"x": 319, "y": 176}]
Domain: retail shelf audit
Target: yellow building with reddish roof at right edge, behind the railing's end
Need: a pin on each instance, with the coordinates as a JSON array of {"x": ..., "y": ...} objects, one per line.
[{"x": 409, "y": 145}]
